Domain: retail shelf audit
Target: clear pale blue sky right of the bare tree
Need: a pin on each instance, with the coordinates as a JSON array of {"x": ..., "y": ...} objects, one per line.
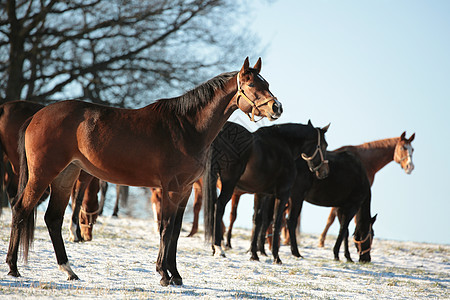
[{"x": 373, "y": 69}]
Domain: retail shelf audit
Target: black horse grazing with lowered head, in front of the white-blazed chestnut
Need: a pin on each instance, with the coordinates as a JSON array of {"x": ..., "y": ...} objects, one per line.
[{"x": 347, "y": 188}]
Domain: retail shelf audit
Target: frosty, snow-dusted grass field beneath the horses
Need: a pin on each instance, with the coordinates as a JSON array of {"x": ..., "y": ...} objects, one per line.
[{"x": 120, "y": 263}]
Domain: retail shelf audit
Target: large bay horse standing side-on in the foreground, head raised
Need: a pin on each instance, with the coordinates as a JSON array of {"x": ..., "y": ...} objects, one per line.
[{"x": 161, "y": 145}]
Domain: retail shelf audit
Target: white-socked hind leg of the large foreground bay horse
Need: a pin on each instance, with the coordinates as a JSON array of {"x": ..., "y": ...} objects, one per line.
[{"x": 61, "y": 189}]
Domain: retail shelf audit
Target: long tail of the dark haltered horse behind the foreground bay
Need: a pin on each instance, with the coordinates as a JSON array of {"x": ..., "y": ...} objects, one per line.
[{"x": 209, "y": 192}]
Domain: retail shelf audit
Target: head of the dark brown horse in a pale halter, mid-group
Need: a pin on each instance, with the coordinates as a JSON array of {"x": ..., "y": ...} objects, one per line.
[{"x": 316, "y": 157}]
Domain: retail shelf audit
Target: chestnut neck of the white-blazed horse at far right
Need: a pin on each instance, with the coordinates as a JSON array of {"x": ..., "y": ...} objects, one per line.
[{"x": 375, "y": 155}]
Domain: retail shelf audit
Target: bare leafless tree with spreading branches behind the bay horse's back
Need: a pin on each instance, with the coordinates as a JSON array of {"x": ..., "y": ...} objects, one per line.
[{"x": 117, "y": 52}]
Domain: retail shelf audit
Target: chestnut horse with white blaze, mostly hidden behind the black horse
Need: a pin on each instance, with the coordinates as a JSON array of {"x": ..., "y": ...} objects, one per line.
[{"x": 374, "y": 156}]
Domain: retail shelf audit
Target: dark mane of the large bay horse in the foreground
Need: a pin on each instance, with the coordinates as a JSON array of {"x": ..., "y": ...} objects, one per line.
[{"x": 195, "y": 99}]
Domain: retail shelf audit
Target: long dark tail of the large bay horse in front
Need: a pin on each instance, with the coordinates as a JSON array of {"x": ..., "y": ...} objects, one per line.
[{"x": 28, "y": 221}]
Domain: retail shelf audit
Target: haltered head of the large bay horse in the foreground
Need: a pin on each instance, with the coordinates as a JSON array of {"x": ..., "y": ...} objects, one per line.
[{"x": 253, "y": 95}]
